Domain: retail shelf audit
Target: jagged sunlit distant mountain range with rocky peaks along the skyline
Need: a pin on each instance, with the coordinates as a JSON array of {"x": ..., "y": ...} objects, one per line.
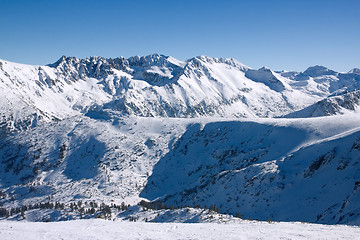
[{"x": 158, "y": 85}]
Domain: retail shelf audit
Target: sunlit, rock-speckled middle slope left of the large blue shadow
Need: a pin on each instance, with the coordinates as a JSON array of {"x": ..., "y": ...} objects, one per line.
[{"x": 85, "y": 158}]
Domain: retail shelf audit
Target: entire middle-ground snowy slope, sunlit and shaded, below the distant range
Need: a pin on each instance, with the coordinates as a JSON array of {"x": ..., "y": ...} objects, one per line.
[{"x": 253, "y": 166}]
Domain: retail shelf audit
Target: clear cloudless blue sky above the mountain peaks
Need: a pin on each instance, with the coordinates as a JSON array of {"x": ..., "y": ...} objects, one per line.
[{"x": 280, "y": 34}]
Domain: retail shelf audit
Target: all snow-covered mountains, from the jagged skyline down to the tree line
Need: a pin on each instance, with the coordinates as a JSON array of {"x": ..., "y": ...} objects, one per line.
[{"x": 184, "y": 133}]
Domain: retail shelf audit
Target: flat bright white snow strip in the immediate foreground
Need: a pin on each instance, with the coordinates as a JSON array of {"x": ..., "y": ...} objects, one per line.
[{"x": 101, "y": 229}]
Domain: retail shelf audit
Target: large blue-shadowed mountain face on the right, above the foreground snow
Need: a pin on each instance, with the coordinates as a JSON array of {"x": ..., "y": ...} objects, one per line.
[{"x": 261, "y": 171}]
